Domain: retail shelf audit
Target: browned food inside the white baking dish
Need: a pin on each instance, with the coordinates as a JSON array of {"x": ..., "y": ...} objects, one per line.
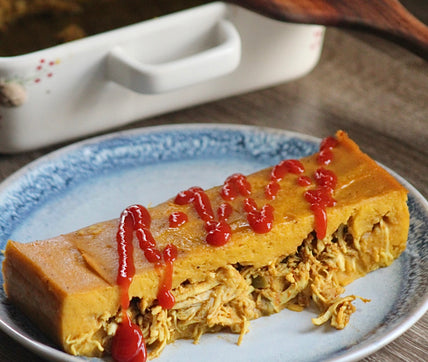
[{"x": 30, "y": 25}]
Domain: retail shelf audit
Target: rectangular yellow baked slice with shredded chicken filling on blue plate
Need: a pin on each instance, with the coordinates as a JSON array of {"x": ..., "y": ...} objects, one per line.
[{"x": 298, "y": 232}]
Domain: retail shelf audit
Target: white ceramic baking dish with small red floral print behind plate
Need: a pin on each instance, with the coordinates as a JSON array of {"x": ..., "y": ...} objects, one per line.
[{"x": 156, "y": 66}]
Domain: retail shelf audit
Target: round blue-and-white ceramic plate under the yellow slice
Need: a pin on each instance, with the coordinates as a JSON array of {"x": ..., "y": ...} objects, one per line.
[{"x": 95, "y": 179}]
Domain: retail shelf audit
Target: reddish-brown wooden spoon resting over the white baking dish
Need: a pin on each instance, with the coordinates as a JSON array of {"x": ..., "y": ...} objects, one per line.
[{"x": 387, "y": 18}]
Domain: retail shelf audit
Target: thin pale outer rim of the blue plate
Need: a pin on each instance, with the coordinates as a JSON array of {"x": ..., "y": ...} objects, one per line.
[{"x": 367, "y": 347}]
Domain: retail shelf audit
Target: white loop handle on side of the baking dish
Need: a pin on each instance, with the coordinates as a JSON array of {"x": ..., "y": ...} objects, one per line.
[{"x": 148, "y": 78}]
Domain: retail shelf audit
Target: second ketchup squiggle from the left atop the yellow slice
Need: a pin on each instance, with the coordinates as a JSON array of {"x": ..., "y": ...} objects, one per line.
[{"x": 218, "y": 232}]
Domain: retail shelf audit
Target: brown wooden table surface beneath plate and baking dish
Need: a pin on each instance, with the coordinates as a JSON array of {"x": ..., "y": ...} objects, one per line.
[{"x": 371, "y": 88}]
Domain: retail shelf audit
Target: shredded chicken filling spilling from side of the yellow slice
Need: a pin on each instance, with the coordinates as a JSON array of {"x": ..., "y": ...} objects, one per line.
[{"x": 232, "y": 296}]
